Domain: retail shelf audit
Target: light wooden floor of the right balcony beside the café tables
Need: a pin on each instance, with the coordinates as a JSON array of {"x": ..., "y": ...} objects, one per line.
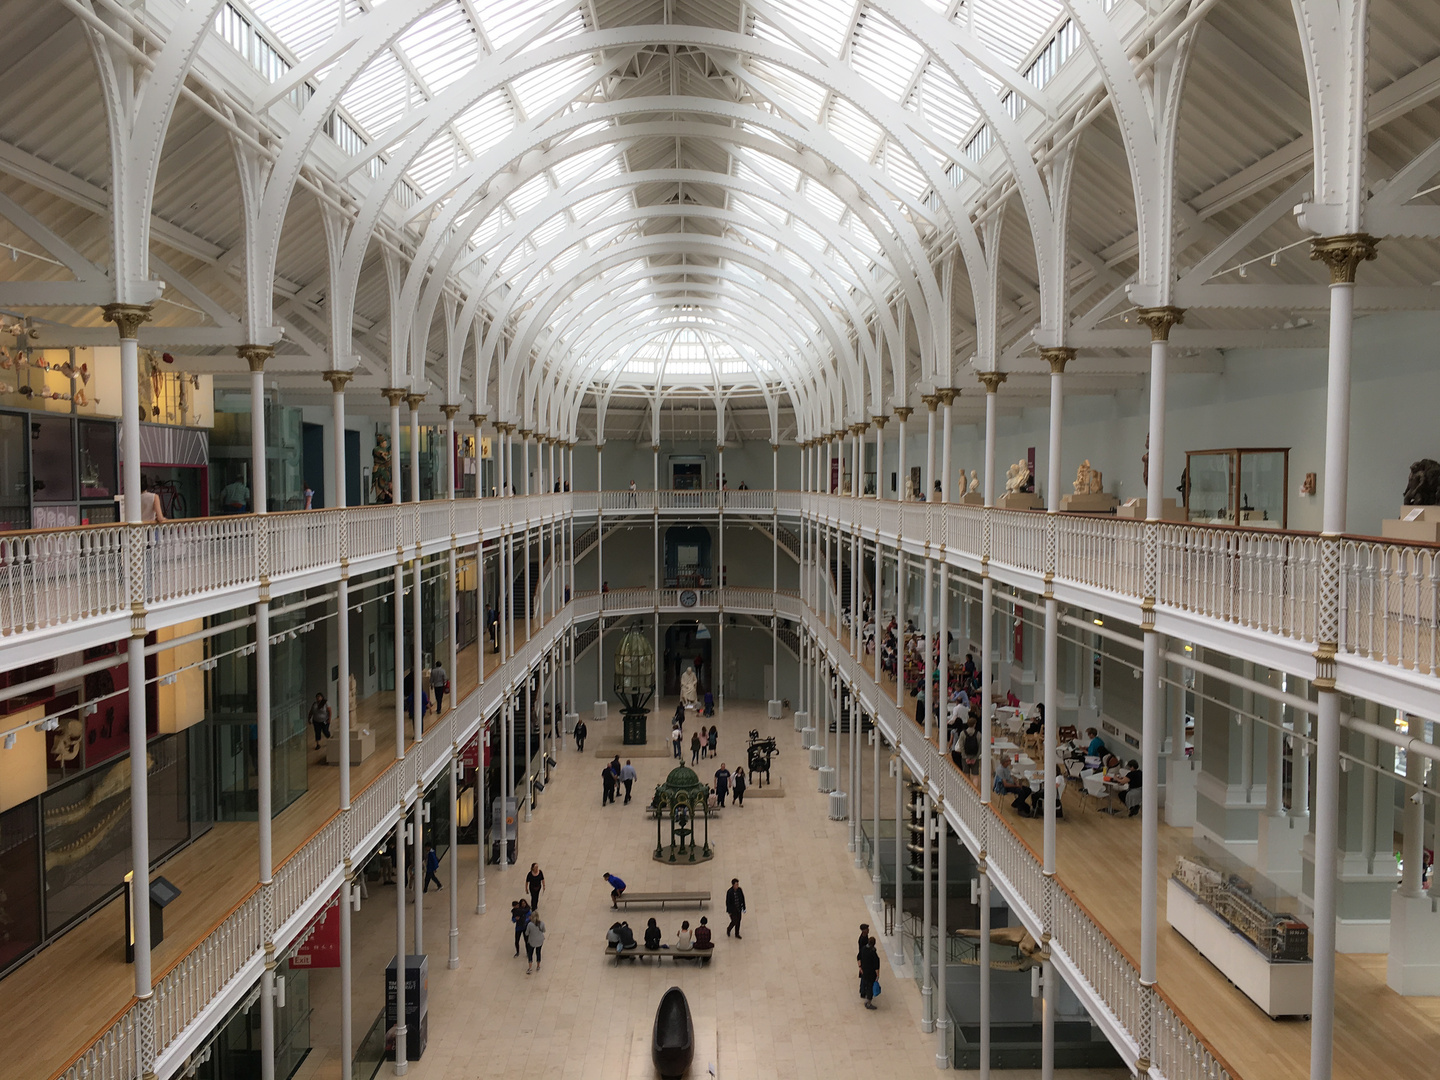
[{"x": 1377, "y": 1032}]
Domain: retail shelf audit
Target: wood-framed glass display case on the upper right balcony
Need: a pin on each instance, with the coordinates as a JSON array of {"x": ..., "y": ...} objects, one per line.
[{"x": 1243, "y": 486}]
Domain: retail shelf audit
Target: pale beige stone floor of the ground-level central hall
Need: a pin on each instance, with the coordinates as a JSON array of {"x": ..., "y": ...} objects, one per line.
[{"x": 781, "y": 1003}]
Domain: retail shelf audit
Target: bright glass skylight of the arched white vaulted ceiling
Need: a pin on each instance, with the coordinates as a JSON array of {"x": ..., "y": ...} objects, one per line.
[{"x": 701, "y": 312}]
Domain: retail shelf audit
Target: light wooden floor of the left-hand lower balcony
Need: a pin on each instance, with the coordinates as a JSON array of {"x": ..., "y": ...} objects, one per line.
[{"x": 214, "y": 875}]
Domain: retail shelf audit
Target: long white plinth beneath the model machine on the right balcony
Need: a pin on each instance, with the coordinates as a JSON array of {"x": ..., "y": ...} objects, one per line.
[{"x": 1282, "y": 990}]
